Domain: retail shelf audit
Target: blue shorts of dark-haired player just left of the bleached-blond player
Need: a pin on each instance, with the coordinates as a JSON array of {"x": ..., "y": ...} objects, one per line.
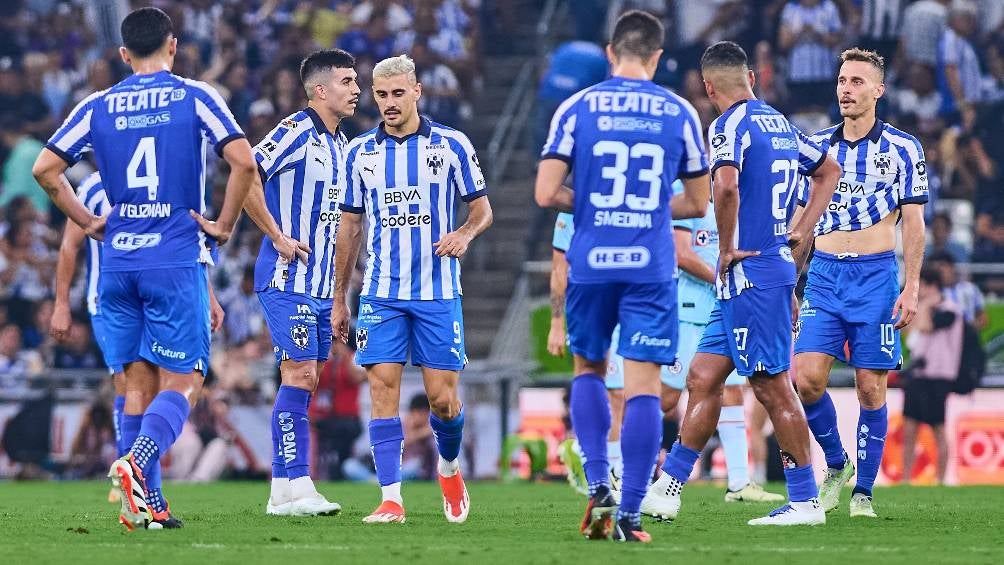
[{"x": 301, "y": 326}]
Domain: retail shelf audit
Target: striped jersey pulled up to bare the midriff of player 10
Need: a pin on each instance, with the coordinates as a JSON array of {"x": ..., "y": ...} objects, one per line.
[{"x": 882, "y": 171}]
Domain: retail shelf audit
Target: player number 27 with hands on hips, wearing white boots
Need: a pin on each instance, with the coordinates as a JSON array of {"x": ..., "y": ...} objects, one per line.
[{"x": 758, "y": 157}]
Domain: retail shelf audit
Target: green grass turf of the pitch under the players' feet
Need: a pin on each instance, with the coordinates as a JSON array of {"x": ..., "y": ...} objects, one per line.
[{"x": 70, "y": 523}]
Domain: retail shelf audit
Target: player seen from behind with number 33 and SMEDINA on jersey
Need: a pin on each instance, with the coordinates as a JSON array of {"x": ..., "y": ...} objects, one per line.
[{"x": 626, "y": 140}]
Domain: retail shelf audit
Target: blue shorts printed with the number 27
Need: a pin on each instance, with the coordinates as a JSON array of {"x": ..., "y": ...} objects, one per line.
[{"x": 754, "y": 330}]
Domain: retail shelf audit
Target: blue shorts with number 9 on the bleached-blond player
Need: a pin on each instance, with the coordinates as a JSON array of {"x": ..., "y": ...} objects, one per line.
[{"x": 432, "y": 330}]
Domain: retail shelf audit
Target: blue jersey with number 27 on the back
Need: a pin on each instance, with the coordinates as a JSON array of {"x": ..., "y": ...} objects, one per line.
[{"x": 771, "y": 154}]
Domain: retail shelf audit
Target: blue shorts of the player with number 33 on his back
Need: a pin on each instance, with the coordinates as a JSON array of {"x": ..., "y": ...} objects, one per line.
[{"x": 647, "y": 315}]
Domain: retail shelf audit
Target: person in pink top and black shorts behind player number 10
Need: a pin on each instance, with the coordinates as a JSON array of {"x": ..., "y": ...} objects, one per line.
[{"x": 935, "y": 342}]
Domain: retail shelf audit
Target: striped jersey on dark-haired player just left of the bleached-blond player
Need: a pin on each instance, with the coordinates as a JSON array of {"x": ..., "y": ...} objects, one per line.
[{"x": 303, "y": 169}]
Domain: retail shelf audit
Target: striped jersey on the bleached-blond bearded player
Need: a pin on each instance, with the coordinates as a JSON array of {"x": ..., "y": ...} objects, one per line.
[{"x": 408, "y": 187}]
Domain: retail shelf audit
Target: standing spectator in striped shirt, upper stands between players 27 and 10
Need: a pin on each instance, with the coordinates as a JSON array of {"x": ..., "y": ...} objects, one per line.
[{"x": 811, "y": 34}]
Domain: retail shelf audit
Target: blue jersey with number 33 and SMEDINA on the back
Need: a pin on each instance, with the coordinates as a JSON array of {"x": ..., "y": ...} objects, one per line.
[{"x": 627, "y": 142}]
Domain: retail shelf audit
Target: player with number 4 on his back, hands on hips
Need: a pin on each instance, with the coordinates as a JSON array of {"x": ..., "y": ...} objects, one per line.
[{"x": 149, "y": 134}]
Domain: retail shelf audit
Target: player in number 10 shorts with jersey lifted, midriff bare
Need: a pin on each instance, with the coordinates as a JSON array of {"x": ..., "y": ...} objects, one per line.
[{"x": 853, "y": 295}]
